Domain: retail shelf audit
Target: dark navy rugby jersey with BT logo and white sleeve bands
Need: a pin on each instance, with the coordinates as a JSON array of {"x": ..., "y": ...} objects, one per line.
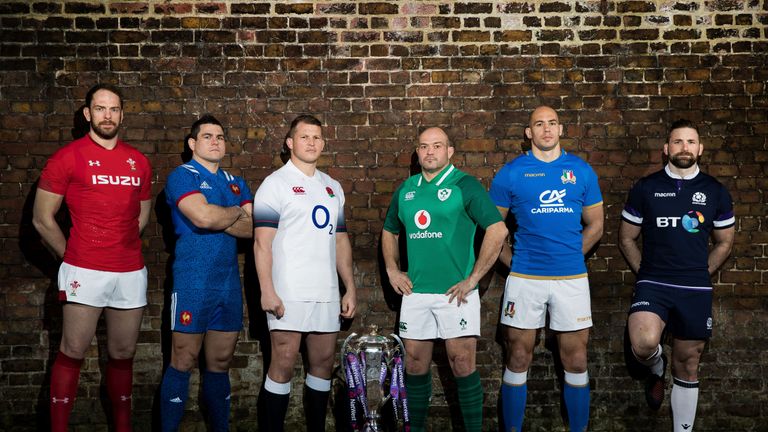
[{"x": 677, "y": 216}]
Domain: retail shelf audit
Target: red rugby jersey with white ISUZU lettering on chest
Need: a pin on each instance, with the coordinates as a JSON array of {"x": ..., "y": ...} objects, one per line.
[{"x": 102, "y": 189}]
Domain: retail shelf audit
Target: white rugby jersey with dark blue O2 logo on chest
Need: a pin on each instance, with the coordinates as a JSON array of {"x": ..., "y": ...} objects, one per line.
[{"x": 307, "y": 213}]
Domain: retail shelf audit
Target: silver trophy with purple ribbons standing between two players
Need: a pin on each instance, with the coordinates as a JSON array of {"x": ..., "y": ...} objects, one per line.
[{"x": 374, "y": 369}]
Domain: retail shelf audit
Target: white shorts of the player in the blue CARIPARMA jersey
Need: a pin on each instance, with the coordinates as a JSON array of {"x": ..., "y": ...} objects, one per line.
[{"x": 527, "y": 301}]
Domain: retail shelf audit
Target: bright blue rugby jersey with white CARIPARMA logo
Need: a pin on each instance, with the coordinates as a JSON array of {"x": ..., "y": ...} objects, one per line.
[{"x": 547, "y": 199}]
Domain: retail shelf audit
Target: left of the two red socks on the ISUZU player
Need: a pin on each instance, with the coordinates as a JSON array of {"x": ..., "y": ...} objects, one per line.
[{"x": 65, "y": 374}]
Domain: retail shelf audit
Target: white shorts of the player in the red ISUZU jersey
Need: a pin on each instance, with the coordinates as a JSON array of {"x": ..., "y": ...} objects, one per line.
[{"x": 97, "y": 288}]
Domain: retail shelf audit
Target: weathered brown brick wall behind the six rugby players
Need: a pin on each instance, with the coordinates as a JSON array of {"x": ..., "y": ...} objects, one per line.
[{"x": 618, "y": 72}]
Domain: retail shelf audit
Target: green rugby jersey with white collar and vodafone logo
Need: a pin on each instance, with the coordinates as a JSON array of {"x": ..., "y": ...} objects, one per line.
[{"x": 440, "y": 219}]
